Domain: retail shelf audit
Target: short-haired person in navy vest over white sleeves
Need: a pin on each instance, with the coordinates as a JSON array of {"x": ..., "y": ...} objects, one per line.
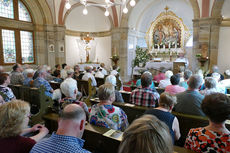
[{"x": 163, "y": 113}]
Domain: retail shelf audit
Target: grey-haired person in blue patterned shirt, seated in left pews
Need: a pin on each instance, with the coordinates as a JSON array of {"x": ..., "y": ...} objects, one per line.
[{"x": 40, "y": 81}]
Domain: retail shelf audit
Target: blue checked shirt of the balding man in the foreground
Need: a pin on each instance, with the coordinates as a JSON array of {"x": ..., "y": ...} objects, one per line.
[{"x": 59, "y": 144}]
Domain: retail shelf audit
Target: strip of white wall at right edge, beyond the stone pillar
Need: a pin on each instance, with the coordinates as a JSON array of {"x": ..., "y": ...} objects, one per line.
[{"x": 224, "y": 49}]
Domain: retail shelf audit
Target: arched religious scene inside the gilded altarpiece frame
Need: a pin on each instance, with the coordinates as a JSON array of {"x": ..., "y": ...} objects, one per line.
[{"x": 167, "y": 32}]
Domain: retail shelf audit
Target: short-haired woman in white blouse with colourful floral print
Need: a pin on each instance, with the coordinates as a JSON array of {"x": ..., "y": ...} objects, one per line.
[{"x": 105, "y": 114}]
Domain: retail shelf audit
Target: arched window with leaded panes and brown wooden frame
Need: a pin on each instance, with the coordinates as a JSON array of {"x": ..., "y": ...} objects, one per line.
[{"x": 16, "y": 42}]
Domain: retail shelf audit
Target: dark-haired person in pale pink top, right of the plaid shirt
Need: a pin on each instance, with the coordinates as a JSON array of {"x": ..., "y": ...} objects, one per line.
[{"x": 174, "y": 88}]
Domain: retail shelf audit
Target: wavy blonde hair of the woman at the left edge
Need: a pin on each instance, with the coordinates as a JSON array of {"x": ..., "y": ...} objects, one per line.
[{"x": 12, "y": 116}]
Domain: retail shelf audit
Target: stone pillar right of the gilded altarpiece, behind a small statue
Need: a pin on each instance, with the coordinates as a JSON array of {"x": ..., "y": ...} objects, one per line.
[{"x": 206, "y": 31}]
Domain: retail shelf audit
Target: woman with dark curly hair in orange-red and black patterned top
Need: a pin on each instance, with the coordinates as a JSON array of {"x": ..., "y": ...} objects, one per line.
[{"x": 215, "y": 137}]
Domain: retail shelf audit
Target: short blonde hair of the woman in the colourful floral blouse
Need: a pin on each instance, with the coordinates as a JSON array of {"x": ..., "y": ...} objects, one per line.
[{"x": 105, "y": 91}]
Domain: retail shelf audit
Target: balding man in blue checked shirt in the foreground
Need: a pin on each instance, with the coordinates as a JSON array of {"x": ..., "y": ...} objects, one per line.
[{"x": 67, "y": 139}]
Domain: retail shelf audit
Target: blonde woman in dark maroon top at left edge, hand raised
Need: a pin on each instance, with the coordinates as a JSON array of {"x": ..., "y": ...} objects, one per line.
[{"x": 13, "y": 124}]
